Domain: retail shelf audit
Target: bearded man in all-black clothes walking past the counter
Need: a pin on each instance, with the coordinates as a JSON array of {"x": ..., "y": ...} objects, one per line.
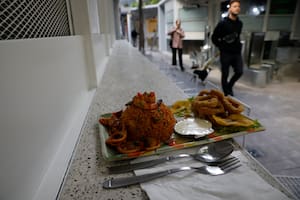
[{"x": 226, "y": 37}]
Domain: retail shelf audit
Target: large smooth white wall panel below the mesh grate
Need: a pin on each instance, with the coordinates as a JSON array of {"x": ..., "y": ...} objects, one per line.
[{"x": 44, "y": 100}]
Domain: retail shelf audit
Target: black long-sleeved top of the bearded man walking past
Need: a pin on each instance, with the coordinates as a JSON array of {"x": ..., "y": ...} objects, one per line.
[{"x": 226, "y": 35}]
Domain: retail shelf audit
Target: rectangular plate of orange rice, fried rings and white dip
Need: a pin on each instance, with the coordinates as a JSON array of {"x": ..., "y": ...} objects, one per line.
[{"x": 147, "y": 126}]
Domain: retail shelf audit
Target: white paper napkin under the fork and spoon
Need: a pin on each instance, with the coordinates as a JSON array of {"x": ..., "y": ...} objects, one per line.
[{"x": 240, "y": 184}]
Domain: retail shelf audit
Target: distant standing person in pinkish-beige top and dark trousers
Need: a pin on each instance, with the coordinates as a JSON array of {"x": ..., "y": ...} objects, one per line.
[{"x": 177, "y": 34}]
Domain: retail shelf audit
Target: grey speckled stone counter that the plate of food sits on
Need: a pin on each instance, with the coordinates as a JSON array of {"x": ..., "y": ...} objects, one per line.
[{"x": 127, "y": 72}]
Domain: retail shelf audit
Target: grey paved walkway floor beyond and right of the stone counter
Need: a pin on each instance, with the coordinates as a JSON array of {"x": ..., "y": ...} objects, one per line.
[{"x": 276, "y": 106}]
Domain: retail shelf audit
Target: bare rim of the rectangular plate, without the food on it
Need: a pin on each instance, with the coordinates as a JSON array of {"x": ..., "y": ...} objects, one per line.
[{"x": 176, "y": 142}]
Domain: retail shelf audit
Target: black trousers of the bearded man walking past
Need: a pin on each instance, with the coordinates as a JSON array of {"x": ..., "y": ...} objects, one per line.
[{"x": 227, "y": 60}]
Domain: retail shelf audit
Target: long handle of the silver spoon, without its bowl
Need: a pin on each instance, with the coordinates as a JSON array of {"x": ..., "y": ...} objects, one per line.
[{"x": 145, "y": 164}]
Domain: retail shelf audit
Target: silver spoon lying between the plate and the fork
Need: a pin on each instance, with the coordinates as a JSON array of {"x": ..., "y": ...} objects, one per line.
[{"x": 211, "y": 153}]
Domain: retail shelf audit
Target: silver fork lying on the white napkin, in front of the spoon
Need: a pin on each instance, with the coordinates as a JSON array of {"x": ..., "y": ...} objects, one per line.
[{"x": 215, "y": 170}]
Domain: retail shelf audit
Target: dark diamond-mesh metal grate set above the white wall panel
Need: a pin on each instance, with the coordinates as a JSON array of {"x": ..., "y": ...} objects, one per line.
[{"x": 21, "y": 19}]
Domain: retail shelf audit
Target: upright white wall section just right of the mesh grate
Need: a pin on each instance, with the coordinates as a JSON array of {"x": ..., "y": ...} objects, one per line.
[{"x": 95, "y": 19}]
